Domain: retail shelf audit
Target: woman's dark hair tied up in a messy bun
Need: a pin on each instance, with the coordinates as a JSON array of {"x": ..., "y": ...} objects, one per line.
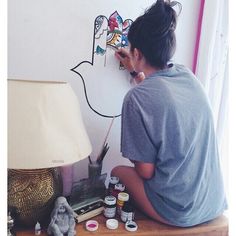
[{"x": 153, "y": 33}]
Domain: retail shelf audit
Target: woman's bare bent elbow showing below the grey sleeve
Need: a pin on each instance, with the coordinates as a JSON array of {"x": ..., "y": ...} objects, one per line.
[{"x": 144, "y": 170}]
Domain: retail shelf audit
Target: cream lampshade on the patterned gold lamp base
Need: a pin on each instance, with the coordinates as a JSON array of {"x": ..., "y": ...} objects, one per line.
[{"x": 45, "y": 126}]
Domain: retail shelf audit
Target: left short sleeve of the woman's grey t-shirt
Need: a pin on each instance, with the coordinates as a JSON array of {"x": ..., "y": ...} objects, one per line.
[{"x": 136, "y": 143}]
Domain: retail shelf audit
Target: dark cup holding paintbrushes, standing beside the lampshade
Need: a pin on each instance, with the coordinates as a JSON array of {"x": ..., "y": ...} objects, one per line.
[{"x": 95, "y": 167}]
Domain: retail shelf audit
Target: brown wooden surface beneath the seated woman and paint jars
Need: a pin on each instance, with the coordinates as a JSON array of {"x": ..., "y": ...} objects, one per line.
[{"x": 147, "y": 227}]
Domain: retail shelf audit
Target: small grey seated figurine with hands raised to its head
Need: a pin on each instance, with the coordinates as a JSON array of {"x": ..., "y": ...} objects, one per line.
[{"x": 62, "y": 219}]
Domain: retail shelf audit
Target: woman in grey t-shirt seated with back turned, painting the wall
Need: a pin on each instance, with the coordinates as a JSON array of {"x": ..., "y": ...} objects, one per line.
[{"x": 167, "y": 129}]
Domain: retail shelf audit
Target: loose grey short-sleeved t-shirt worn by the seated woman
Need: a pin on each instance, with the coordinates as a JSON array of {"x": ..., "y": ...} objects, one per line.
[{"x": 167, "y": 120}]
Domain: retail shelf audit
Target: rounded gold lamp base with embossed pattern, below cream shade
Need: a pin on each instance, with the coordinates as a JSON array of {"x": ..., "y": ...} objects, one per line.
[{"x": 31, "y": 194}]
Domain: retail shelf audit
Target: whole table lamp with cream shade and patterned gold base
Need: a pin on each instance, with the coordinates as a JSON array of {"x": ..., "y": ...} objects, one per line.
[{"x": 45, "y": 131}]
